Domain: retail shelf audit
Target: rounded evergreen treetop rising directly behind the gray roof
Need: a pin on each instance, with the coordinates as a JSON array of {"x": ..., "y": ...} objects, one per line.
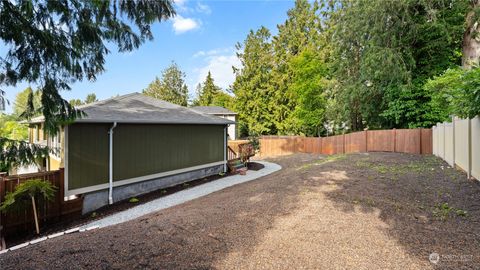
[{"x": 171, "y": 87}]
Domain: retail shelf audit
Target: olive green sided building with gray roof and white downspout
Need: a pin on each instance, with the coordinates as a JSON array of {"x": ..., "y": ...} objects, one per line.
[{"x": 133, "y": 144}]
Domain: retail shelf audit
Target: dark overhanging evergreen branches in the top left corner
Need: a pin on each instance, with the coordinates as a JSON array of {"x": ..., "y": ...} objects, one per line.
[{"x": 55, "y": 43}]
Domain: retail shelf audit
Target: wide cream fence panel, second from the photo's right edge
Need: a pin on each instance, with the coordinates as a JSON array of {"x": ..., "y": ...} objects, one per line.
[{"x": 462, "y": 154}]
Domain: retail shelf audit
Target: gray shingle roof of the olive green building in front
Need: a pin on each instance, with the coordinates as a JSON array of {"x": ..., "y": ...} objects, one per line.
[{"x": 138, "y": 108}]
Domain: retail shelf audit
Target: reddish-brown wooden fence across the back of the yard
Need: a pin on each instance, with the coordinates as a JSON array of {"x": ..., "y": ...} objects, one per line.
[{"x": 415, "y": 141}]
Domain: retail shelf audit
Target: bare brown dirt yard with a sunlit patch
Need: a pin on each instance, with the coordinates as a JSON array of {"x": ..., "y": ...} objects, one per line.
[{"x": 358, "y": 211}]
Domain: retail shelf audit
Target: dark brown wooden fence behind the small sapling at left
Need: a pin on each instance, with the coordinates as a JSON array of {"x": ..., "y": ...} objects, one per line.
[{"x": 21, "y": 221}]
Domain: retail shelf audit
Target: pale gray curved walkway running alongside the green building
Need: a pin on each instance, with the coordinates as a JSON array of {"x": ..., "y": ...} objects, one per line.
[{"x": 183, "y": 196}]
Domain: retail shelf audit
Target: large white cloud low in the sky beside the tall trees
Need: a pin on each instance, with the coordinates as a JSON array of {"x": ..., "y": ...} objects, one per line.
[{"x": 221, "y": 68}]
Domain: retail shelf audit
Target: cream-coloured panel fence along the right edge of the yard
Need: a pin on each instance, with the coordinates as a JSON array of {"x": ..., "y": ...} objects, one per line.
[{"x": 458, "y": 143}]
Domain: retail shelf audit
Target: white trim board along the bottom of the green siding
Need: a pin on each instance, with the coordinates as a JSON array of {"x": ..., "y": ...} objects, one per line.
[{"x": 137, "y": 179}]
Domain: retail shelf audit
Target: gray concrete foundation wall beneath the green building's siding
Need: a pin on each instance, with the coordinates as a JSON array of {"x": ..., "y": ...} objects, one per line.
[{"x": 97, "y": 199}]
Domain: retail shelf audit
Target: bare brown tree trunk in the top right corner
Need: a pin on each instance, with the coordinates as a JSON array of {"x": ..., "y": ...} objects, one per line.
[{"x": 471, "y": 38}]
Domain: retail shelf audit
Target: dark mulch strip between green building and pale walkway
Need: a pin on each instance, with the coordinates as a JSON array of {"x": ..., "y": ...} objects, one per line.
[{"x": 12, "y": 240}]
